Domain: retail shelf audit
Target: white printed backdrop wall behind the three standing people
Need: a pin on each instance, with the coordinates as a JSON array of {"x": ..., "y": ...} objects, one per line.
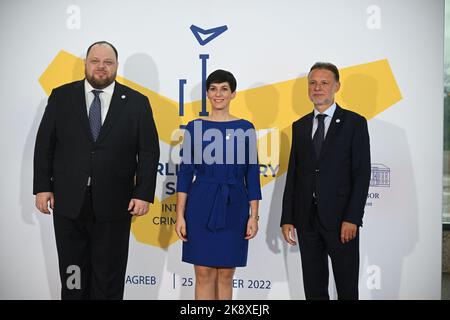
[{"x": 267, "y": 43}]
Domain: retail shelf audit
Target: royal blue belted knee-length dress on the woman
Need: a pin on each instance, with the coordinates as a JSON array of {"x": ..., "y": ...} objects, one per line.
[{"x": 220, "y": 176}]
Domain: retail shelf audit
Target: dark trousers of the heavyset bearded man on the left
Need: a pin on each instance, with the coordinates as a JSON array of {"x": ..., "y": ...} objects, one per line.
[{"x": 92, "y": 255}]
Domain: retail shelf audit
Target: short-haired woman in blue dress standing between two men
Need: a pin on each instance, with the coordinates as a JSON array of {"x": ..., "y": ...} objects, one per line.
[{"x": 218, "y": 191}]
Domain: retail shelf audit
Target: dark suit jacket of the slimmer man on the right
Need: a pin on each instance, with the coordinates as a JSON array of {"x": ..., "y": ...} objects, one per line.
[{"x": 342, "y": 172}]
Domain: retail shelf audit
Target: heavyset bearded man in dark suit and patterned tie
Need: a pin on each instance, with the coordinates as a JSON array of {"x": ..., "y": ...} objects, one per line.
[{"x": 95, "y": 165}]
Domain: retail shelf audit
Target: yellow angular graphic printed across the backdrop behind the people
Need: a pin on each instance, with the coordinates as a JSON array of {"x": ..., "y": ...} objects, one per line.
[{"x": 367, "y": 89}]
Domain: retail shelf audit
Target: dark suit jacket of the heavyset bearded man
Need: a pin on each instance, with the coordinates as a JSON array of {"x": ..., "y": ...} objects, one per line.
[{"x": 122, "y": 163}]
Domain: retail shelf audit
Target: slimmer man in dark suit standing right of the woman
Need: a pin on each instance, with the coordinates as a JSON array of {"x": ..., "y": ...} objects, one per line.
[{"x": 326, "y": 188}]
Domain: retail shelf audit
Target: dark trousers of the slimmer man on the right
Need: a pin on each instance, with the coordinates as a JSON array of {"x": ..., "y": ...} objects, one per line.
[{"x": 316, "y": 244}]
